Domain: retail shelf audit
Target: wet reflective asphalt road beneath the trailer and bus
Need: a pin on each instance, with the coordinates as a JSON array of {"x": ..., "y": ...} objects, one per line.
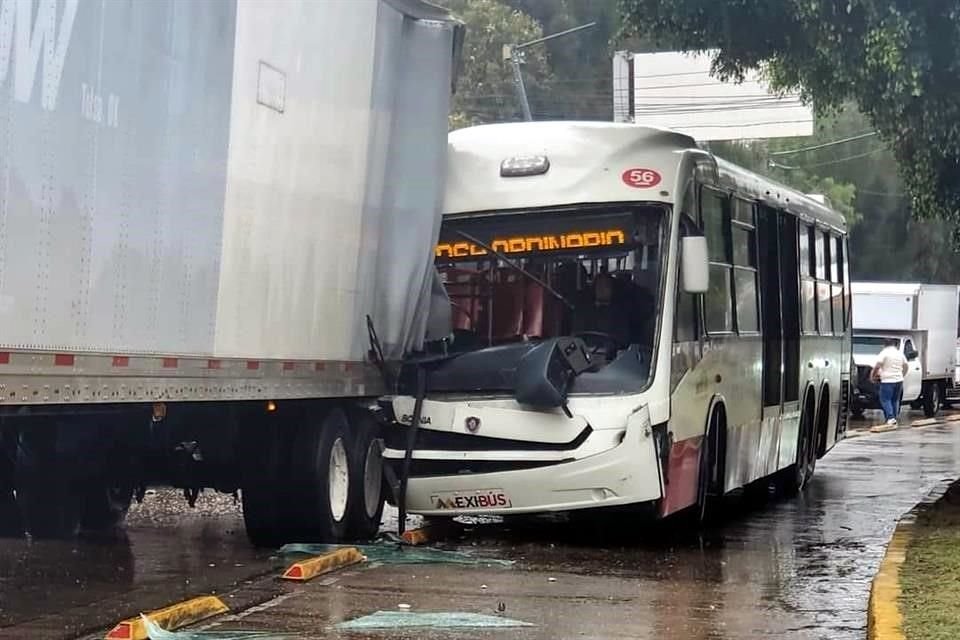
[{"x": 789, "y": 568}]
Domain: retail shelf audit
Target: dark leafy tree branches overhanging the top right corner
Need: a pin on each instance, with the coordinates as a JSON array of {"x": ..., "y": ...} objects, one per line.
[{"x": 896, "y": 59}]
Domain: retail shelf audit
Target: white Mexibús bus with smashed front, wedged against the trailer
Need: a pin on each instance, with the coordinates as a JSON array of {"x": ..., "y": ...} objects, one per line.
[{"x": 590, "y": 364}]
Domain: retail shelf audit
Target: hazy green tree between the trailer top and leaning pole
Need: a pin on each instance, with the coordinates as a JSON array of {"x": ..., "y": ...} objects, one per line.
[{"x": 485, "y": 91}]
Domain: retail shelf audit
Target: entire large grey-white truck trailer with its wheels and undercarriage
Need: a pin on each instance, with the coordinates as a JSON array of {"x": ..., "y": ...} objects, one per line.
[{"x": 201, "y": 204}]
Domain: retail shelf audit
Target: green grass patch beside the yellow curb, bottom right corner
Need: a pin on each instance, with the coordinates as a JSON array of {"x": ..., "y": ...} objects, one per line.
[{"x": 930, "y": 576}]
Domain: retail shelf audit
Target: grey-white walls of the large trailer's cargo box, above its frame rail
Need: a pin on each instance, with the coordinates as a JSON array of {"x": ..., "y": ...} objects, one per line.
[{"x": 243, "y": 178}]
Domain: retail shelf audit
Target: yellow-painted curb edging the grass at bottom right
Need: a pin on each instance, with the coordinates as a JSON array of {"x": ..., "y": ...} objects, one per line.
[{"x": 884, "y": 618}]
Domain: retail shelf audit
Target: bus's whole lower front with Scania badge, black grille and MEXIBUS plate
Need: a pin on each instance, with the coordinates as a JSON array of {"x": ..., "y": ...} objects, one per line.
[{"x": 570, "y": 466}]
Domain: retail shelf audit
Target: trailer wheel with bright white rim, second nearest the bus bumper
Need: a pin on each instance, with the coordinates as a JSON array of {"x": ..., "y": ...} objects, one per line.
[{"x": 321, "y": 467}]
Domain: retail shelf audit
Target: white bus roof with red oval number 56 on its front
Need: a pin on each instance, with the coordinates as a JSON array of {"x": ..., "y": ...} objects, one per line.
[{"x": 592, "y": 162}]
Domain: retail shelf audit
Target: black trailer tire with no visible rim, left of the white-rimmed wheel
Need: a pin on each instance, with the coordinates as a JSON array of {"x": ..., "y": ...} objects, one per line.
[{"x": 263, "y": 484}]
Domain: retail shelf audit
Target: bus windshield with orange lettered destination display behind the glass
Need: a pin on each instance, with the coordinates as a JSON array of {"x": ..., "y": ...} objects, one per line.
[{"x": 588, "y": 272}]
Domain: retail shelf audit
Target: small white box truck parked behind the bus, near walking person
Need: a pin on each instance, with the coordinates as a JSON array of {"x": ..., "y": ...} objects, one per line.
[{"x": 923, "y": 319}]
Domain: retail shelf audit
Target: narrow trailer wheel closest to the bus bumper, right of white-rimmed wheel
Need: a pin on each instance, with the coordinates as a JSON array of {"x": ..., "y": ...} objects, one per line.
[{"x": 367, "y": 482}]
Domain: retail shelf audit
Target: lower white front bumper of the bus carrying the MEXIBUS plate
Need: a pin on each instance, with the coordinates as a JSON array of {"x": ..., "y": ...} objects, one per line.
[{"x": 628, "y": 473}]
